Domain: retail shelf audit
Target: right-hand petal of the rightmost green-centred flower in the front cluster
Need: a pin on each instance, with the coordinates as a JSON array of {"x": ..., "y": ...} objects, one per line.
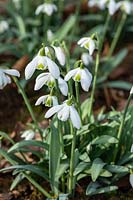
[{"x": 86, "y": 79}]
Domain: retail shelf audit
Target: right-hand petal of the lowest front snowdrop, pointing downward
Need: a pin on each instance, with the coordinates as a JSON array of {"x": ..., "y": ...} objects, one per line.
[{"x": 74, "y": 116}]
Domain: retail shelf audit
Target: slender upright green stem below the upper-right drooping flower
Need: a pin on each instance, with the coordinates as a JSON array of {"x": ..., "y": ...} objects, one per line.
[{"x": 94, "y": 84}]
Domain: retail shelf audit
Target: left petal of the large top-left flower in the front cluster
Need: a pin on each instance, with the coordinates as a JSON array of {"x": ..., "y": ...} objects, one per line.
[{"x": 30, "y": 68}]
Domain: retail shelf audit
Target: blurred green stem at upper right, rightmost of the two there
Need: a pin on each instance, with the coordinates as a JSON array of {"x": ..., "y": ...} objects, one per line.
[{"x": 117, "y": 34}]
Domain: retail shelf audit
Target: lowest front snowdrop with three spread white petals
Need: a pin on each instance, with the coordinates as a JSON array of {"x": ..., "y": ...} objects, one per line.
[{"x": 64, "y": 112}]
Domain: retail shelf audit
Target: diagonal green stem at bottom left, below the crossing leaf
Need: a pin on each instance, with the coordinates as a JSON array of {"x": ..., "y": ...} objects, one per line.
[{"x": 42, "y": 190}]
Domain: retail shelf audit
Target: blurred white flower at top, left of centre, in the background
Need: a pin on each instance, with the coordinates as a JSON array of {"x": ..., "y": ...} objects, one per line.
[{"x": 47, "y": 8}]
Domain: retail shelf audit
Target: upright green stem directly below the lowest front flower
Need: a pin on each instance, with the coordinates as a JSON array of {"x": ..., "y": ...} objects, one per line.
[{"x": 71, "y": 178}]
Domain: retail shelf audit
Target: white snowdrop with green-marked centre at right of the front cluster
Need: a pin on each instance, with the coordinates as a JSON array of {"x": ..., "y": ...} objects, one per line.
[{"x": 81, "y": 75}]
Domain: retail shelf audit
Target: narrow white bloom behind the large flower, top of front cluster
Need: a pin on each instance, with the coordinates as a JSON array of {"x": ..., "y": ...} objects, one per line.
[{"x": 60, "y": 55}]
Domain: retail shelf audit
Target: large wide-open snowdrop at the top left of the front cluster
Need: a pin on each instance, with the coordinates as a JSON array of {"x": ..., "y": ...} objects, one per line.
[{"x": 41, "y": 62}]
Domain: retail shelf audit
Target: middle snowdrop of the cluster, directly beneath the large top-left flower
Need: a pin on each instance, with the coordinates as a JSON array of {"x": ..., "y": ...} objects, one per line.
[{"x": 48, "y": 79}]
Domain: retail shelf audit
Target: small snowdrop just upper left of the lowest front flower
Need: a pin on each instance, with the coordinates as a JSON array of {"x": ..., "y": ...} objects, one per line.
[{"x": 48, "y": 100}]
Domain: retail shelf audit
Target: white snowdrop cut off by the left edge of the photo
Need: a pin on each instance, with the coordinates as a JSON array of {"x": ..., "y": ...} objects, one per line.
[{"x": 5, "y": 78}]
